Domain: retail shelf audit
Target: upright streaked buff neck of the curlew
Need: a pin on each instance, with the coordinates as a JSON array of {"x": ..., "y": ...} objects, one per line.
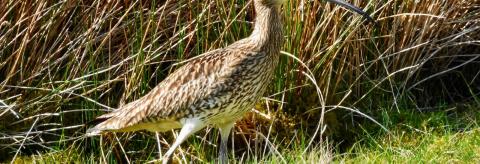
[{"x": 268, "y": 31}]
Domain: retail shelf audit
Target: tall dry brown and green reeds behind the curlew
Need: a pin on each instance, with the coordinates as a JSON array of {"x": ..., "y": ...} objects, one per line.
[{"x": 62, "y": 63}]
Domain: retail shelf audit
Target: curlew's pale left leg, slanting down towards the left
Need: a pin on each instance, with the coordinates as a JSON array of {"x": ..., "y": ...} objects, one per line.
[{"x": 189, "y": 127}]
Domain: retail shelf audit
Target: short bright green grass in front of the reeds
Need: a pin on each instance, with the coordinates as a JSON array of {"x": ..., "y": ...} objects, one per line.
[{"x": 451, "y": 136}]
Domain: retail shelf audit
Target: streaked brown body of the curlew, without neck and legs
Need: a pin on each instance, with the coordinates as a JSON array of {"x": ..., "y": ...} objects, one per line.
[{"x": 220, "y": 86}]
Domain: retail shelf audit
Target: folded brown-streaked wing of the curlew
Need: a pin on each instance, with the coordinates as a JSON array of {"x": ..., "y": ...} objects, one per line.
[{"x": 201, "y": 84}]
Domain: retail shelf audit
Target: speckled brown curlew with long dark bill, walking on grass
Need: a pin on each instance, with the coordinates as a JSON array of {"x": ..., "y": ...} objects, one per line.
[{"x": 214, "y": 89}]
